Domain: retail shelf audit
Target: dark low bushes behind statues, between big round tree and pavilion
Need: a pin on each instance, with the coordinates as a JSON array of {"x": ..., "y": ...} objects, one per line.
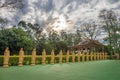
[{"x": 61, "y": 45}]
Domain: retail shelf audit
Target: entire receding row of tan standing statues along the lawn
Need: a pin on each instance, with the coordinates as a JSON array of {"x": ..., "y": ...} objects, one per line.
[{"x": 80, "y": 57}]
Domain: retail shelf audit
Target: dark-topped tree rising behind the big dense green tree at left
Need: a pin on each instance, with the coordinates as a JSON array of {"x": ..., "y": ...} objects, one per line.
[{"x": 34, "y": 31}]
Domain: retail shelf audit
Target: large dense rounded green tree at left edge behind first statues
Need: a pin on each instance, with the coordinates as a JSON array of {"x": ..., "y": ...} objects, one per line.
[{"x": 14, "y": 39}]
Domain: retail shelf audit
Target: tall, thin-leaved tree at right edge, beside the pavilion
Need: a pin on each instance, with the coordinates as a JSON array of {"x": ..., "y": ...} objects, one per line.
[{"x": 111, "y": 25}]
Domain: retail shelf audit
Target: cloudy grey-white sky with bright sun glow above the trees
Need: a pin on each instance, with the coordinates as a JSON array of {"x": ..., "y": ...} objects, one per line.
[{"x": 59, "y": 14}]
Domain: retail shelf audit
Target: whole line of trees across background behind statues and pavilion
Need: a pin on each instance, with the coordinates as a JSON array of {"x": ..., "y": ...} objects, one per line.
[{"x": 29, "y": 36}]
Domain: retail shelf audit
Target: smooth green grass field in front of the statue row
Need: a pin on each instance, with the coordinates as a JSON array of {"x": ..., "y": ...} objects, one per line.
[{"x": 95, "y": 70}]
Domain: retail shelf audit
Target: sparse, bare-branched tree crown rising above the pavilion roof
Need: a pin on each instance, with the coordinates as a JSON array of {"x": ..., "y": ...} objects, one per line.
[{"x": 89, "y": 30}]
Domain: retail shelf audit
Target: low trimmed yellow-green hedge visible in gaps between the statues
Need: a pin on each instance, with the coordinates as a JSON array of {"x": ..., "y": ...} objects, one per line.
[{"x": 27, "y": 60}]
